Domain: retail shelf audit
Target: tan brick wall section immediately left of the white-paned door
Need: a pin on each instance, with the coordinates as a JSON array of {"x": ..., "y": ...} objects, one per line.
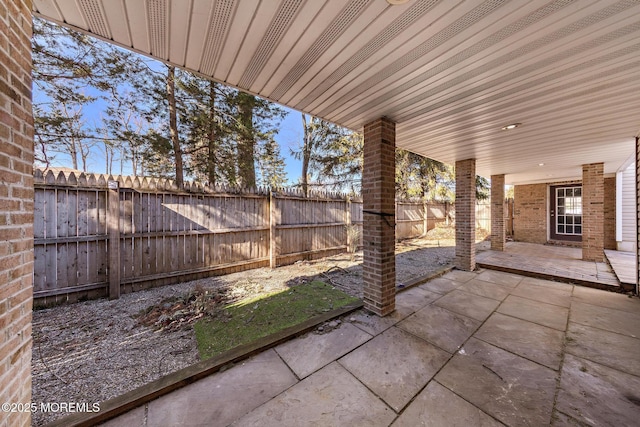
[{"x": 530, "y": 213}]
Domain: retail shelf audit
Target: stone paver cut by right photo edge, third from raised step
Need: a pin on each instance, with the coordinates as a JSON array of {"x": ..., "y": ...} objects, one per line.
[{"x": 607, "y": 348}]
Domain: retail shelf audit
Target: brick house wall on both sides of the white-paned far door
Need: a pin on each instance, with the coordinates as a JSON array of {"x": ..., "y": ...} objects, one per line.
[{"x": 531, "y": 206}]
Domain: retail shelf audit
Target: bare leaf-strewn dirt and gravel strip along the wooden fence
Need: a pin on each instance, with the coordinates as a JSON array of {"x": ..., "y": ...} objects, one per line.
[{"x": 96, "y": 350}]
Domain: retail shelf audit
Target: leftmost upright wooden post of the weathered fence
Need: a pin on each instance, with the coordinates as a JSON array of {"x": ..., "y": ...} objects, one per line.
[{"x": 113, "y": 229}]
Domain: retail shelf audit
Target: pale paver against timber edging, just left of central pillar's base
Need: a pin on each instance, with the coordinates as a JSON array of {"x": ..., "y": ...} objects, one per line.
[{"x": 312, "y": 351}]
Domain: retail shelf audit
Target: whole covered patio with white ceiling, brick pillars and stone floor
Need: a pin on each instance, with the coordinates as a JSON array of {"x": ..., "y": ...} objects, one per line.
[{"x": 540, "y": 94}]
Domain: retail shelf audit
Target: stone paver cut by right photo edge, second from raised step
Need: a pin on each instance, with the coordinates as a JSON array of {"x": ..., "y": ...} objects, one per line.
[{"x": 606, "y": 318}]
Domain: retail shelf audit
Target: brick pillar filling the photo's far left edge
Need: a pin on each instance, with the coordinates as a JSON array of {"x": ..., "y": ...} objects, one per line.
[{"x": 16, "y": 207}]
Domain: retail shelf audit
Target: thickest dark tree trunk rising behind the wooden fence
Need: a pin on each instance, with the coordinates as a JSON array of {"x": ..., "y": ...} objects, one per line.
[{"x": 246, "y": 141}]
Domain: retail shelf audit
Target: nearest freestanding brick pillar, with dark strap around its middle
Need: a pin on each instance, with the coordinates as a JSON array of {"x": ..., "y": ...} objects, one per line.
[{"x": 378, "y": 192}]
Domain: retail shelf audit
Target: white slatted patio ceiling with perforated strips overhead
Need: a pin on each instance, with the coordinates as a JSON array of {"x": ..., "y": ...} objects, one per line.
[{"x": 450, "y": 73}]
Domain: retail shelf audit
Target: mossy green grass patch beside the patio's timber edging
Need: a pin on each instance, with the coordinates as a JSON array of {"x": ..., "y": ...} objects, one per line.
[{"x": 255, "y": 318}]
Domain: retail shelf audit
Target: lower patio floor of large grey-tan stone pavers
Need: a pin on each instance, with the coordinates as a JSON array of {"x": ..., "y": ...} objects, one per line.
[{"x": 485, "y": 348}]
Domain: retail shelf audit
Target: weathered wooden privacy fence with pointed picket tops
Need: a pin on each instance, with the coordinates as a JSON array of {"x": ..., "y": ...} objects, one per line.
[{"x": 98, "y": 235}]
